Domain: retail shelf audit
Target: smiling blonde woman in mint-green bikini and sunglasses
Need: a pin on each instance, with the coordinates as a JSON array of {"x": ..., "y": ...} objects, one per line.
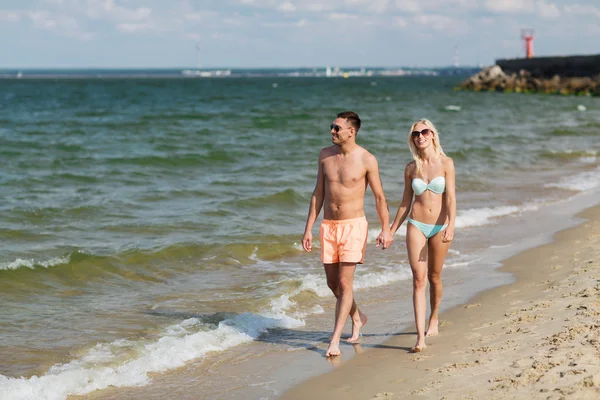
[{"x": 430, "y": 229}]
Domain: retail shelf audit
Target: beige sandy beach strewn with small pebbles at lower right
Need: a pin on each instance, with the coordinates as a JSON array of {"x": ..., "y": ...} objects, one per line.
[{"x": 536, "y": 338}]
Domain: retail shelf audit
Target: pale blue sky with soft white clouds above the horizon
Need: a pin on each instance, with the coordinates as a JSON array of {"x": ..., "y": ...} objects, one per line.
[{"x": 288, "y": 33}]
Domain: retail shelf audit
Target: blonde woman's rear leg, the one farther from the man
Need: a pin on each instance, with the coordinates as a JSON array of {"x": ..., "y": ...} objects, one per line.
[{"x": 437, "y": 254}]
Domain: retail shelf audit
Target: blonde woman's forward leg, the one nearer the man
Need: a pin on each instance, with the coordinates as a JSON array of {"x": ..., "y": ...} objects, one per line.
[{"x": 416, "y": 246}]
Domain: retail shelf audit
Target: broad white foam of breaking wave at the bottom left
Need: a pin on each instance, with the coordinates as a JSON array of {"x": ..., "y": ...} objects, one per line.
[{"x": 128, "y": 363}]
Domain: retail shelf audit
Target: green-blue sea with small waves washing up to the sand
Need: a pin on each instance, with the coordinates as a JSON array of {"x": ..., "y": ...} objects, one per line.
[{"x": 150, "y": 225}]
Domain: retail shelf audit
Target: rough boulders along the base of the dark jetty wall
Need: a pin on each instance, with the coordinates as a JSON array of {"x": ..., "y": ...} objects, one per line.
[{"x": 495, "y": 79}]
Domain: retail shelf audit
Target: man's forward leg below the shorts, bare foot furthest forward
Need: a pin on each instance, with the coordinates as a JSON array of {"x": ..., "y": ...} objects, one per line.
[{"x": 343, "y": 307}]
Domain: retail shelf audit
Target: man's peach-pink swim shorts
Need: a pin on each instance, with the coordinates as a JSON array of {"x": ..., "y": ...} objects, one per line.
[{"x": 344, "y": 240}]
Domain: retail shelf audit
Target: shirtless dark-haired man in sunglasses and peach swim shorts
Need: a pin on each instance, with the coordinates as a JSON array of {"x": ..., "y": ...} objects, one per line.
[{"x": 345, "y": 170}]
